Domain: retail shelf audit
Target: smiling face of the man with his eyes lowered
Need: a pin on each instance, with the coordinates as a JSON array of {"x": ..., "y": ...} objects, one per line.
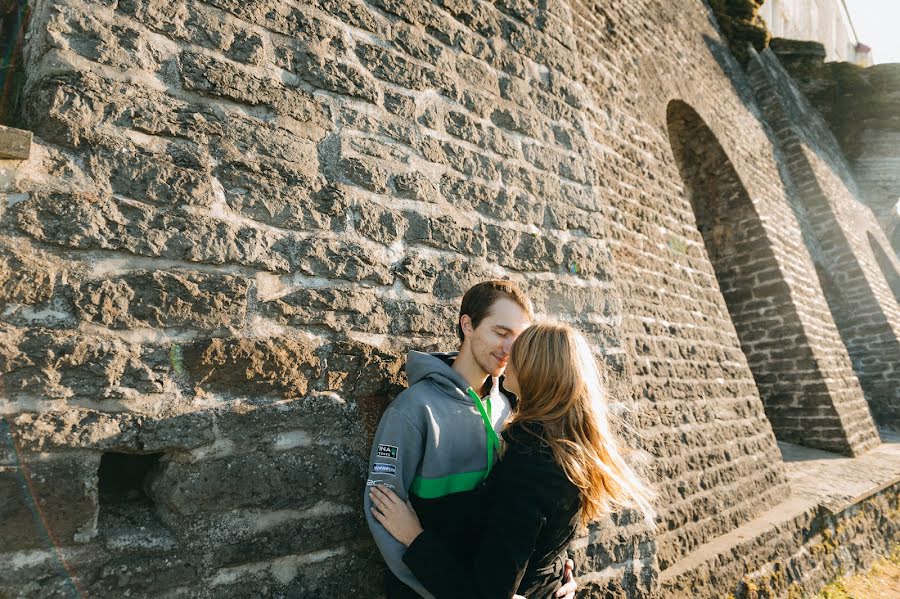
[{"x": 491, "y": 342}]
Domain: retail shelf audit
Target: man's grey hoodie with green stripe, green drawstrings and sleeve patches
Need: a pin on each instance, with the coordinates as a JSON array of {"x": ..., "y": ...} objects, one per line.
[{"x": 431, "y": 443}]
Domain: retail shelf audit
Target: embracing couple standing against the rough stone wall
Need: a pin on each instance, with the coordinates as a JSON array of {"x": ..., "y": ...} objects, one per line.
[{"x": 483, "y": 470}]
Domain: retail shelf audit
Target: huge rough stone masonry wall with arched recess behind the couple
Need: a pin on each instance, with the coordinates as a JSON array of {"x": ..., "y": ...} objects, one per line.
[{"x": 235, "y": 218}]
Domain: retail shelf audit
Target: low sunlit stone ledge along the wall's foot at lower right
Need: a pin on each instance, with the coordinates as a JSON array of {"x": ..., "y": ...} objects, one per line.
[{"x": 827, "y": 491}]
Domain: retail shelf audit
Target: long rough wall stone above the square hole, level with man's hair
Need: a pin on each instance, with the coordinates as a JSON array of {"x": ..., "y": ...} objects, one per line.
[{"x": 164, "y": 299}]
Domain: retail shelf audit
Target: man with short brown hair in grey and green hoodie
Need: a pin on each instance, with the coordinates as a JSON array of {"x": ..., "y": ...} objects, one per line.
[{"x": 438, "y": 439}]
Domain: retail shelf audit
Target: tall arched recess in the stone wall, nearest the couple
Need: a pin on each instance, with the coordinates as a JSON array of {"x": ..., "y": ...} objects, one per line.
[{"x": 795, "y": 395}]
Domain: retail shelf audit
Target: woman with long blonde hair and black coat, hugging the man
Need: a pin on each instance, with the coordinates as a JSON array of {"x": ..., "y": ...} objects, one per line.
[{"x": 561, "y": 467}]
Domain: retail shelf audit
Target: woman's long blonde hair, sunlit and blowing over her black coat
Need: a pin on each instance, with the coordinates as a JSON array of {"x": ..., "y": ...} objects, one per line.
[{"x": 560, "y": 389}]
